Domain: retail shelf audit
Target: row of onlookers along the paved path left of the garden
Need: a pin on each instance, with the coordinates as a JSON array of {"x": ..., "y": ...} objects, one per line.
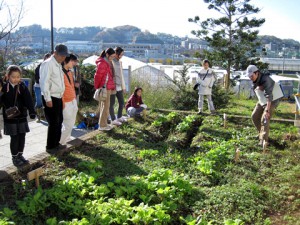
[{"x": 56, "y": 92}]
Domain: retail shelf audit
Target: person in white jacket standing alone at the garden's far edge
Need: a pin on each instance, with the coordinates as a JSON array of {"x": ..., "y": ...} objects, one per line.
[{"x": 205, "y": 80}]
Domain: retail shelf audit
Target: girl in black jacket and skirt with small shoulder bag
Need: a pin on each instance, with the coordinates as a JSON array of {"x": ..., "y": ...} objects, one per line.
[{"x": 16, "y": 127}]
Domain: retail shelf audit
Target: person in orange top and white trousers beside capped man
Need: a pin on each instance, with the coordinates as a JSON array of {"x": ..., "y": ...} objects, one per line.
[{"x": 70, "y": 107}]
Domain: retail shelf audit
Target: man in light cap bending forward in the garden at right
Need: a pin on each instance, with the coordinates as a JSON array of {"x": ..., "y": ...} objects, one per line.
[{"x": 263, "y": 86}]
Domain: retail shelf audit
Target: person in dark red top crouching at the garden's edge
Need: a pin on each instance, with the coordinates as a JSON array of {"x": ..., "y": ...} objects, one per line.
[{"x": 135, "y": 105}]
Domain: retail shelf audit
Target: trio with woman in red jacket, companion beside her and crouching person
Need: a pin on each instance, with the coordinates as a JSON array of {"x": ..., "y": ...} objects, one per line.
[{"x": 109, "y": 75}]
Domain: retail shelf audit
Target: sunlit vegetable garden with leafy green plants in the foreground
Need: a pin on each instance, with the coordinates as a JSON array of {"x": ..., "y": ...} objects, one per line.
[{"x": 172, "y": 168}]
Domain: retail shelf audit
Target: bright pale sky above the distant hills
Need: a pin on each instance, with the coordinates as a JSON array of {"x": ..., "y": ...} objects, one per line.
[{"x": 166, "y": 16}]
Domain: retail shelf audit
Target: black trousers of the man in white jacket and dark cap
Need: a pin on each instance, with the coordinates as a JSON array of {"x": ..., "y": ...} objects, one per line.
[{"x": 54, "y": 116}]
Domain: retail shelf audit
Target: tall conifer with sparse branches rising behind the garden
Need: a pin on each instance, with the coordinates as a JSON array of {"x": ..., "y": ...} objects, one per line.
[{"x": 232, "y": 36}]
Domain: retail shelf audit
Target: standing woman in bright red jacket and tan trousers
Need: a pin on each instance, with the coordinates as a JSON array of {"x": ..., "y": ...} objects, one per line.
[{"x": 104, "y": 77}]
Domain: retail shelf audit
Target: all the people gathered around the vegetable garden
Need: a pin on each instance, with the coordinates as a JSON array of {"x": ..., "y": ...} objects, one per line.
[{"x": 56, "y": 92}]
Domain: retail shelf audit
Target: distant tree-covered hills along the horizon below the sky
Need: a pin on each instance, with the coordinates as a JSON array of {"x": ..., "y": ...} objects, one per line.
[{"x": 122, "y": 34}]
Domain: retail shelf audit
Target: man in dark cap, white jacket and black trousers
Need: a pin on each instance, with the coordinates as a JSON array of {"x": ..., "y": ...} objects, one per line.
[{"x": 52, "y": 88}]
